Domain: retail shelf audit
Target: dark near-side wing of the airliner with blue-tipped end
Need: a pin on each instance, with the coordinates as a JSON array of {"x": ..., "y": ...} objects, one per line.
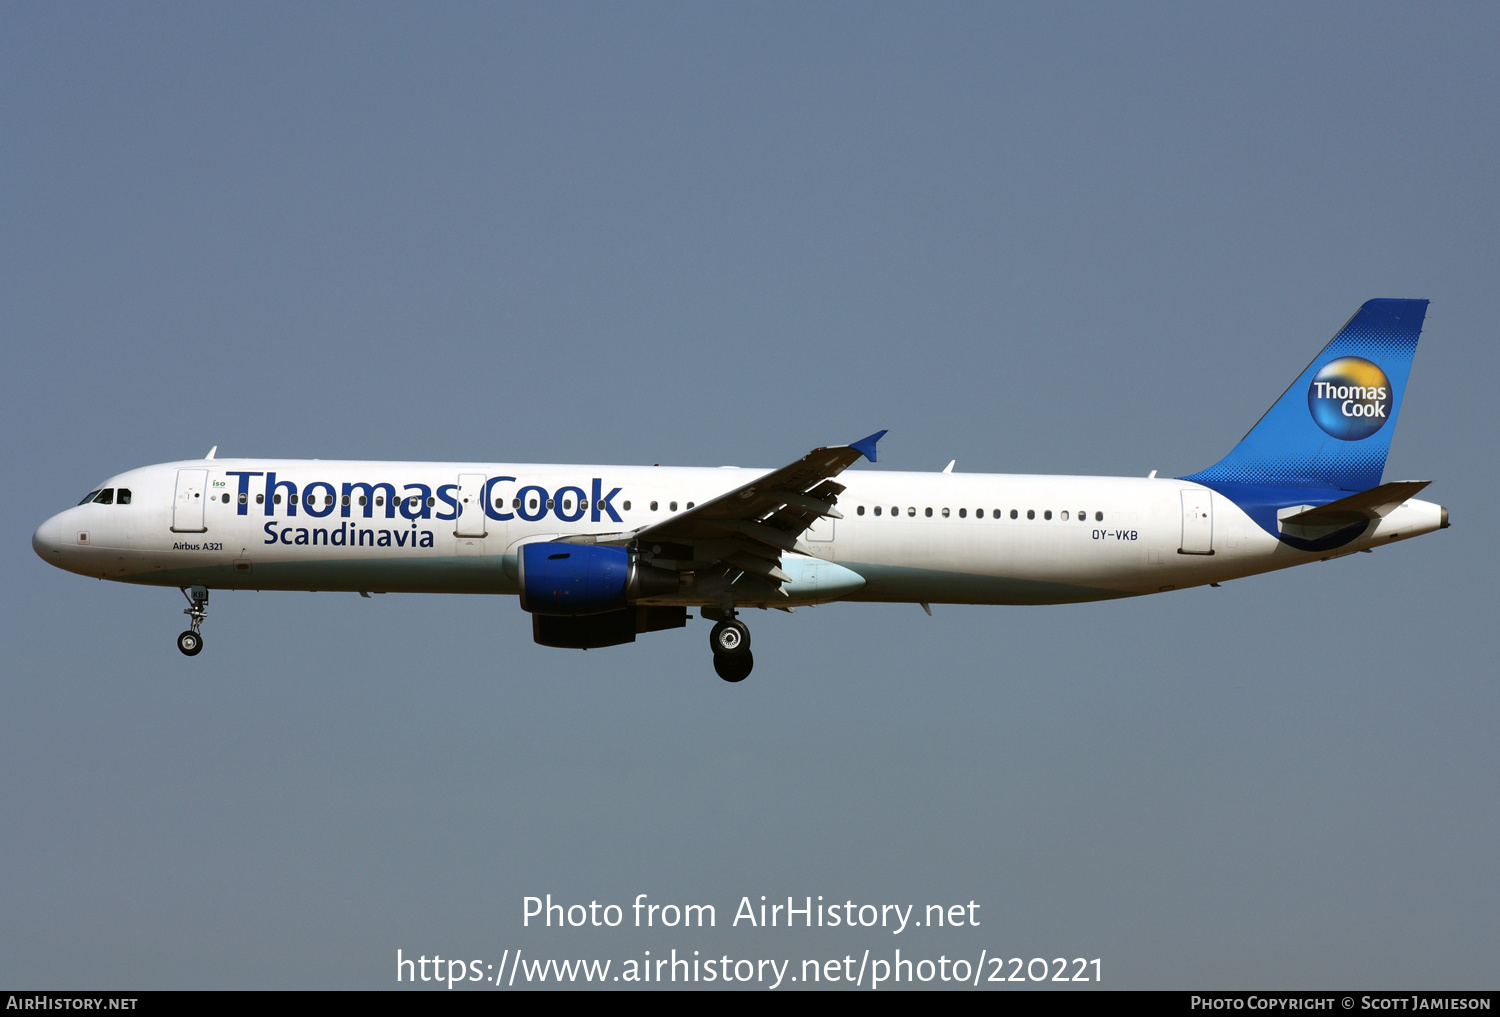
[{"x": 749, "y": 529}]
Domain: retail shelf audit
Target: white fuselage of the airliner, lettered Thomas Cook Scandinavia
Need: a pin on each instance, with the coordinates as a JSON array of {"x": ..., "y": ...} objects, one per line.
[{"x": 925, "y": 538}]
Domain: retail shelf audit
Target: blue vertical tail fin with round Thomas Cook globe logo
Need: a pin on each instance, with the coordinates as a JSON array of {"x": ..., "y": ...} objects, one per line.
[{"x": 1333, "y": 428}]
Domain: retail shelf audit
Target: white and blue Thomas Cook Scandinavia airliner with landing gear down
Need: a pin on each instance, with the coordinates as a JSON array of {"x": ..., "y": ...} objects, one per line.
[{"x": 602, "y": 554}]
